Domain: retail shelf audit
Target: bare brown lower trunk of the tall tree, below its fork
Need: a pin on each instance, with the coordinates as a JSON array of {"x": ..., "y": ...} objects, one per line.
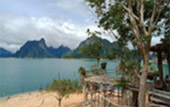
[{"x": 142, "y": 86}]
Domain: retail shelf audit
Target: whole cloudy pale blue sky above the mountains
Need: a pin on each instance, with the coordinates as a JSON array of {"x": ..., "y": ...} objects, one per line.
[{"x": 57, "y": 21}]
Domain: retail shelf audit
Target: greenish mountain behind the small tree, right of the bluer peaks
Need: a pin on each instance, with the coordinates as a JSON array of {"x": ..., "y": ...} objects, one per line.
[{"x": 107, "y": 46}]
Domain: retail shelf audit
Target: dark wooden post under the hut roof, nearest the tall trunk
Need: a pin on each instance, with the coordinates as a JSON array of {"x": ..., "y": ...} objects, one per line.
[{"x": 160, "y": 66}]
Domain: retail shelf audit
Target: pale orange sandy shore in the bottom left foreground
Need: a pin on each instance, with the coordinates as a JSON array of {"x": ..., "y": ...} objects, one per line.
[{"x": 40, "y": 99}]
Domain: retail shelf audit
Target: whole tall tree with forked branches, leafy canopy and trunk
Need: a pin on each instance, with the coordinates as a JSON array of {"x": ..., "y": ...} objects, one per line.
[{"x": 136, "y": 21}]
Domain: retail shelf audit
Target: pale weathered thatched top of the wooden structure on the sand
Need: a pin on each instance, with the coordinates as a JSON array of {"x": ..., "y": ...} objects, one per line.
[{"x": 102, "y": 79}]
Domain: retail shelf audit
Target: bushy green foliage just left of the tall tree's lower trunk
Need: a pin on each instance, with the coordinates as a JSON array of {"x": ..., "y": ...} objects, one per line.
[{"x": 129, "y": 68}]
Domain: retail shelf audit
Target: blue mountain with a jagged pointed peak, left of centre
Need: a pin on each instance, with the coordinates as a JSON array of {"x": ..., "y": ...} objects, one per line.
[{"x": 39, "y": 49}]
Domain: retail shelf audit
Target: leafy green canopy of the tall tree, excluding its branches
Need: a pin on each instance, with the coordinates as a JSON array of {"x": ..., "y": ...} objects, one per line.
[{"x": 112, "y": 16}]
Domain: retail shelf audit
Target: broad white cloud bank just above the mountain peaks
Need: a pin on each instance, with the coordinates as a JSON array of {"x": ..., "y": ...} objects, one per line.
[{"x": 15, "y": 31}]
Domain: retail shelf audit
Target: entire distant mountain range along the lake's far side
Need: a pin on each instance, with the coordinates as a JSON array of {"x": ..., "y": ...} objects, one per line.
[{"x": 39, "y": 49}]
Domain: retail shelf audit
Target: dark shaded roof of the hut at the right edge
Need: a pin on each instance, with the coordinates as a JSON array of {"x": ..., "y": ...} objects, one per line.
[{"x": 161, "y": 47}]
